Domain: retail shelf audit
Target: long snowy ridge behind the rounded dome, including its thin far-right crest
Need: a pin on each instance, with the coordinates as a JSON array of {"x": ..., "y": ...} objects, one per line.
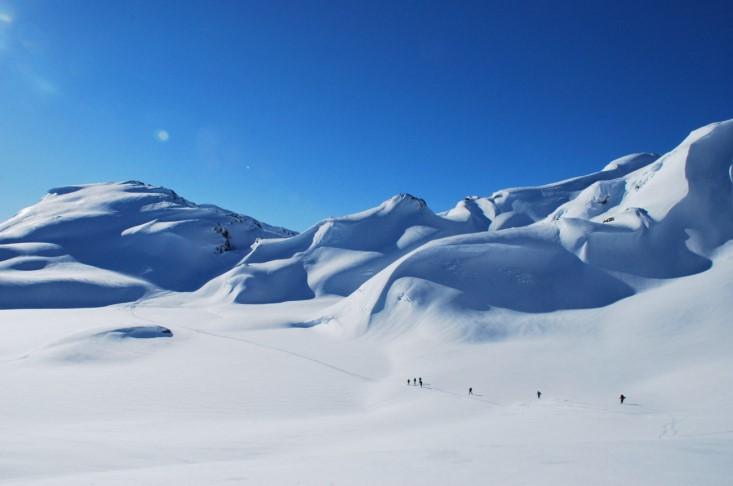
[{"x": 337, "y": 255}]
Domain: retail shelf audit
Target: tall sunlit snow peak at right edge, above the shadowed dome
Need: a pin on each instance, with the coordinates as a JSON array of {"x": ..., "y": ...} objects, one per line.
[{"x": 661, "y": 221}]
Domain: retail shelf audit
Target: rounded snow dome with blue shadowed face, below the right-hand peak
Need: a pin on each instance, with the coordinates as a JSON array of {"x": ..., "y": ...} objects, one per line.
[{"x": 522, "y": 269}]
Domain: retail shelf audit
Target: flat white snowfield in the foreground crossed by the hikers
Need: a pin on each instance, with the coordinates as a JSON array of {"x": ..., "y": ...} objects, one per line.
[{"x": 237, "y": 397}]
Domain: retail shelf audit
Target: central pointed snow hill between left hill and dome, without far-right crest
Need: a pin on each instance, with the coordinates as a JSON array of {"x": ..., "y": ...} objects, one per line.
[{"x": 337, "y": 255}]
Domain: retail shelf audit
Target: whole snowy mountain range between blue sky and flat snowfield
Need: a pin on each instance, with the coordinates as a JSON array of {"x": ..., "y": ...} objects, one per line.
[{"x": 582, "y": 242}]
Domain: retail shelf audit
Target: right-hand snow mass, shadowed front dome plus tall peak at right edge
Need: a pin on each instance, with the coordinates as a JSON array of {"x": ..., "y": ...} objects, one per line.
[{"x": 661, "y": 221}]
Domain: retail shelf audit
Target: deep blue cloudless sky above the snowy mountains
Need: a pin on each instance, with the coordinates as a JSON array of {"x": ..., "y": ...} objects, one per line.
[{"x": 295, "y": 111}]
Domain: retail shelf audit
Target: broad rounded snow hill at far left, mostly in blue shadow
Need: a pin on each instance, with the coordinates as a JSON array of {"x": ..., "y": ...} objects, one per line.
[{"x": 100, "y": 244}]
